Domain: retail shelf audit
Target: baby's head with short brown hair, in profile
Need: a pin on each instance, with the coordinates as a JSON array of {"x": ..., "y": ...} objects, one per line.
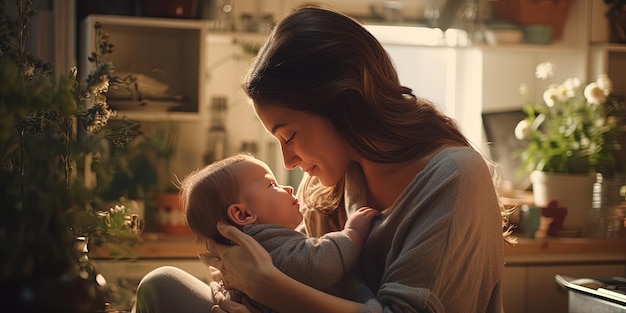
[{"x": 240, "y": 190}]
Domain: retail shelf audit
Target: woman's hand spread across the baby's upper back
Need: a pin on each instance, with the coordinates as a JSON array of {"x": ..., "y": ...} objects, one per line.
[{"x": 242, "y": 266}]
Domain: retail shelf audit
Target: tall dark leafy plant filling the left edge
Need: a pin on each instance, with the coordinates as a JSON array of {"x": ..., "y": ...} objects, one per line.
[{"x": 48, "y": 129}]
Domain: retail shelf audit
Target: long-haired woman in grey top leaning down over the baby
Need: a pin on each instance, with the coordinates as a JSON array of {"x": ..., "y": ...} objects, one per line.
[{"x": 327, "y": 90}]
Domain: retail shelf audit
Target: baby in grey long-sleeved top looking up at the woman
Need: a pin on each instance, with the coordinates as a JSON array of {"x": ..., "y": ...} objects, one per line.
[{"x": 243, "y": 191}]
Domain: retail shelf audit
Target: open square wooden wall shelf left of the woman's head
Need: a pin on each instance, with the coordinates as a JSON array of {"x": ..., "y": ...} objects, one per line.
[{"x": 165, "y": 56}]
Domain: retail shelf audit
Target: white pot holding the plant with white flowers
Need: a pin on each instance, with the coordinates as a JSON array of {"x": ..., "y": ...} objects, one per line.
[{"x": 572, "y": 191}]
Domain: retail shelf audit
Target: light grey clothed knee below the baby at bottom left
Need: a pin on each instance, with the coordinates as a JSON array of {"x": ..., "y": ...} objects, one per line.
[{"x": 170, "y": 289}]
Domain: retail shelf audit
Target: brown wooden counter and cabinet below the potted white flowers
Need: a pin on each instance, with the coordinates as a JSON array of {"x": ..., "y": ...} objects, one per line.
[{"x": 529, "y": 284}]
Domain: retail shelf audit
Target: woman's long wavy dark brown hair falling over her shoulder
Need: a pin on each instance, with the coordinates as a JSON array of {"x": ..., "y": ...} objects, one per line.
[{"x": 323, "y": 62}]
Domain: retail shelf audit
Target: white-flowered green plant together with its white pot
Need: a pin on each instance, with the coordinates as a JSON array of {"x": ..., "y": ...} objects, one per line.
[{"x": 571, "y": 136}]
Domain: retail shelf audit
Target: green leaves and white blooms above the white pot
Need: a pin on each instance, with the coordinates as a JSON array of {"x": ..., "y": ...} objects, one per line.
[{"x": 572, "y": 130}]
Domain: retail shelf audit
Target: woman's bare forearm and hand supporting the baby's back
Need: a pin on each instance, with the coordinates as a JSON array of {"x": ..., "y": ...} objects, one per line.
[{"x": 248, "y": 267}]
